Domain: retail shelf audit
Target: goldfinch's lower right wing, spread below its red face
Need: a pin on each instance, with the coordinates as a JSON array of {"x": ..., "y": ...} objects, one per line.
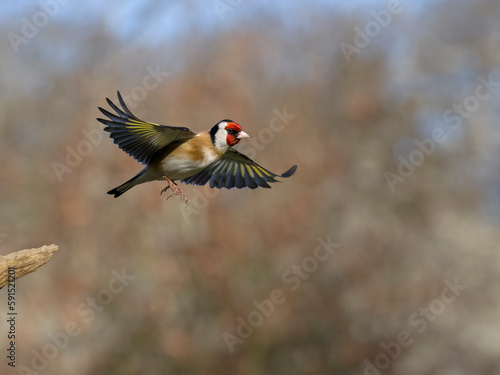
[{"x": 234, "y": 169}]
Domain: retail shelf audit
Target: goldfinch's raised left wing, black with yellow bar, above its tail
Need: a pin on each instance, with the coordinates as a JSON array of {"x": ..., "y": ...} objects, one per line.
[{"x": 140, "y": 139}]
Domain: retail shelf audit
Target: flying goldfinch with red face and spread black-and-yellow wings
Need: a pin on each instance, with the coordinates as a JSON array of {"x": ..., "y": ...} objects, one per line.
[{"x": 177, "y": 153}]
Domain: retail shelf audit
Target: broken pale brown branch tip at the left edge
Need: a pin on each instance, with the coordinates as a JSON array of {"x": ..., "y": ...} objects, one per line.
[{"x": 24, "y": 261}]
